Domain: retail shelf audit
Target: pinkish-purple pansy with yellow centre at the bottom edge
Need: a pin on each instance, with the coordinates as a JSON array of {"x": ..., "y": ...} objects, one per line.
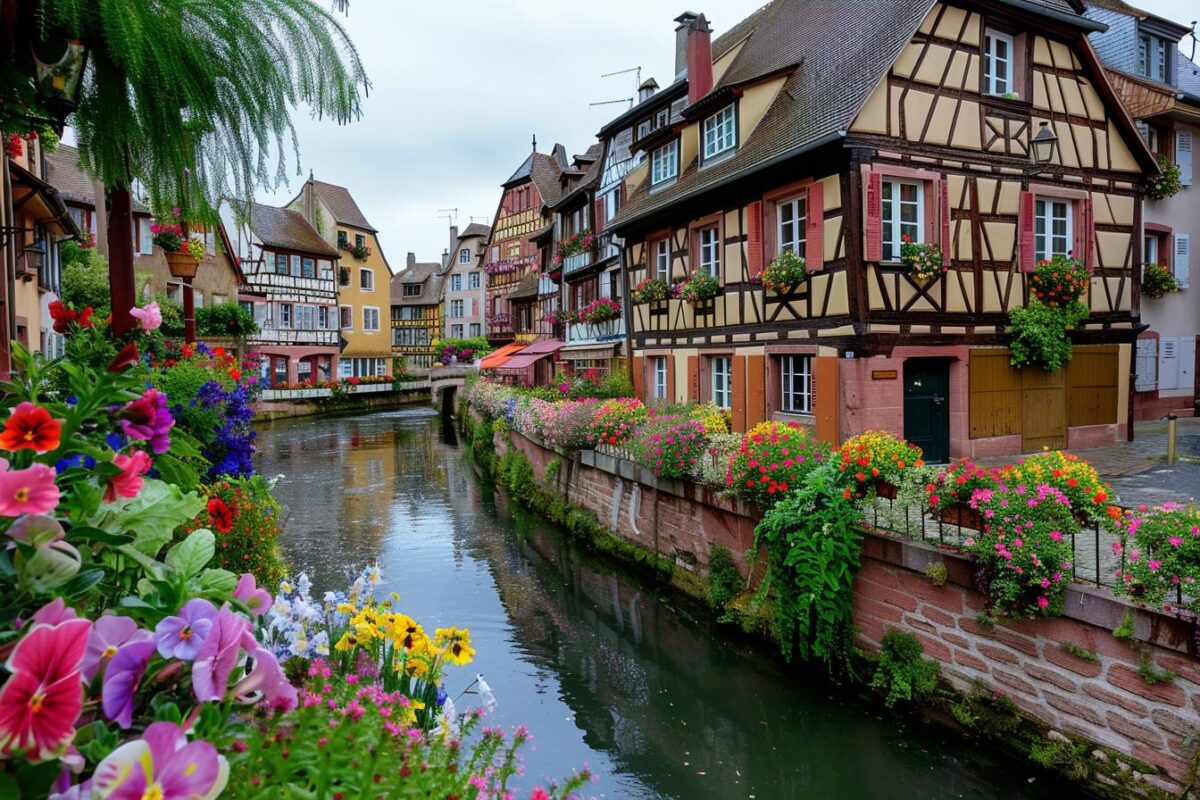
[{"x": 164, "y": 766}]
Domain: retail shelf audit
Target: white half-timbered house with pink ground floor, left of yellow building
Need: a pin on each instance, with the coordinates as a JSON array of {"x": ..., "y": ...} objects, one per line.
[{"x": 292, "y": 288}]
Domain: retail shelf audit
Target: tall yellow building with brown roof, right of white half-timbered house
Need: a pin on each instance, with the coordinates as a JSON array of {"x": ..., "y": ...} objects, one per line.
[{"x": 364, "y": 278}]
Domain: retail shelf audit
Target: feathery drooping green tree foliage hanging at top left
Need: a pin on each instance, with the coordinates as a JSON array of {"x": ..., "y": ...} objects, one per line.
[{"x": 202, "y": 111}]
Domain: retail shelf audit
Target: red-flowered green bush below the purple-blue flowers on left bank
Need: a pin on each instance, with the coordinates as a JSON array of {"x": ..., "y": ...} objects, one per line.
[{"x": 248, "y": 522}]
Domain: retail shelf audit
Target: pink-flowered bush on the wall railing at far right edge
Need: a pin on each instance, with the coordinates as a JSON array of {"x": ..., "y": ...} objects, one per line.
[{"x": 1161, "y": 555}]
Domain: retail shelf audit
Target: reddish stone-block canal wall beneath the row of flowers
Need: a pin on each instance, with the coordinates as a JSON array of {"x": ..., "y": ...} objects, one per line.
[{"x": 1106, "y": 701}]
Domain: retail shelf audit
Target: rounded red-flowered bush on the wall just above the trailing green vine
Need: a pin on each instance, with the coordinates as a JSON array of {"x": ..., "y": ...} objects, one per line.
[{"x": 773, "y": 459}]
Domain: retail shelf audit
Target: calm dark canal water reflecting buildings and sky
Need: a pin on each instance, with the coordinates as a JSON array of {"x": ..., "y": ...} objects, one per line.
[{"x": 602, "y": 671}]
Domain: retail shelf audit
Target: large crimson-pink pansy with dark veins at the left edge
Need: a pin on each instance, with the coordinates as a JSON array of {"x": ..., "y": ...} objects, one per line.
[{"x": 43, "y": 700}]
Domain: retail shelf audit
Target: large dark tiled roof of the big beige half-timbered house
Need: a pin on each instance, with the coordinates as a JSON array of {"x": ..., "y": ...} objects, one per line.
[{"x": 833, "y": 53}]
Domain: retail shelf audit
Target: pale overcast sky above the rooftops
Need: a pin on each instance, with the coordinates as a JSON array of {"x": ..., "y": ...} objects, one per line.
[{"x": 461, "y": 88}]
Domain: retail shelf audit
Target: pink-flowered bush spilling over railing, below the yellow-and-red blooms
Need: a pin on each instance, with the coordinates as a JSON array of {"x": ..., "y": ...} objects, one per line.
[{"x": 1024, "y": 549}]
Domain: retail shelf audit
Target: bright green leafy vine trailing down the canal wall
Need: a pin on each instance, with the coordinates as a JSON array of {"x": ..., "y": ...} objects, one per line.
[{"x": 813, "y": 539}]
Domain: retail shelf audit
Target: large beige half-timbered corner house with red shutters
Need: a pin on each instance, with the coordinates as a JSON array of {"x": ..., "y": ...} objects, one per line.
[{"x": 836, "y": 129}]
